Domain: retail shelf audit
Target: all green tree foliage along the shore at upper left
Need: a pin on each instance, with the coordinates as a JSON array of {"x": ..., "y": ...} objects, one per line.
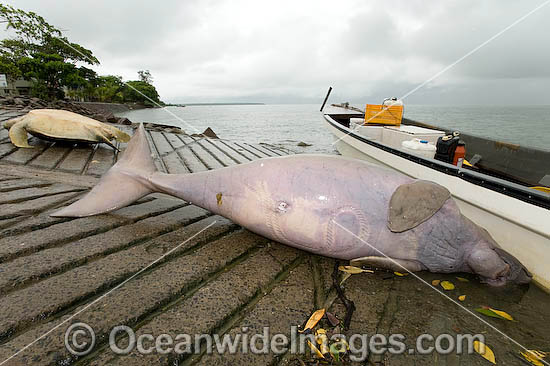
[{"x": 39, "y": 52}]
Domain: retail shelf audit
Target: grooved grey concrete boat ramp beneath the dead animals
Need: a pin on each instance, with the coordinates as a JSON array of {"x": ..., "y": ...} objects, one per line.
[{"x": 121, "y": 269}]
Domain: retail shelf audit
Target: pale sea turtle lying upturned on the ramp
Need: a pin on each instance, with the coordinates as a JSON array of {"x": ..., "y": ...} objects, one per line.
[{"x": 60, "y": 125}]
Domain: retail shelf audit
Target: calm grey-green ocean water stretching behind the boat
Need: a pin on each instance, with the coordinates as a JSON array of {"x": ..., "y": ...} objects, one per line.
[{"x": 288, "y": 124}]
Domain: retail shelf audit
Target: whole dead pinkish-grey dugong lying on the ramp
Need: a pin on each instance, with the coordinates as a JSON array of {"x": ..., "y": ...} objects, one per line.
[{"x": 324, "y": 204}]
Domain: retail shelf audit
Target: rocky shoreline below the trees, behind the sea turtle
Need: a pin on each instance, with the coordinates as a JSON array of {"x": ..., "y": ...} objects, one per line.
[{"x": 25, "y": 103}]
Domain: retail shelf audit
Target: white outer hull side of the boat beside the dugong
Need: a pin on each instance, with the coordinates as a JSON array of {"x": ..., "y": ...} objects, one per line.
[{"x": 519, "y": 227}]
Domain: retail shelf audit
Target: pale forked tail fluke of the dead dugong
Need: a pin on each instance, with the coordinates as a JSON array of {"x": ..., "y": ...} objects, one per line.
[{"x": 123, "y": 184}]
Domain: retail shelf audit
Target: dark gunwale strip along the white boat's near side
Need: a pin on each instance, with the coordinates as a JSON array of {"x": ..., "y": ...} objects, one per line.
[{"x": 498, "y": 185}]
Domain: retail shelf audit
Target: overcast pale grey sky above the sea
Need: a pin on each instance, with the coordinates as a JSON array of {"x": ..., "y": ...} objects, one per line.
[{"x": 291, "y": 51}]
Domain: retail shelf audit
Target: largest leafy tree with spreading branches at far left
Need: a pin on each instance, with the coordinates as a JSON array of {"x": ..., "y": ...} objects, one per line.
[{"x": 39, "y": 52}]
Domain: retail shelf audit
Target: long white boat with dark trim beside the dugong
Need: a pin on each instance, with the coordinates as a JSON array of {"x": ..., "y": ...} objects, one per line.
[{"x": 493, "y": 194}]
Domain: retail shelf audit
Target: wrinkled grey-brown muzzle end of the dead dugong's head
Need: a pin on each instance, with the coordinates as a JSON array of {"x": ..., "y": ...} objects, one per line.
[{"x": 495, "y": 266}]
